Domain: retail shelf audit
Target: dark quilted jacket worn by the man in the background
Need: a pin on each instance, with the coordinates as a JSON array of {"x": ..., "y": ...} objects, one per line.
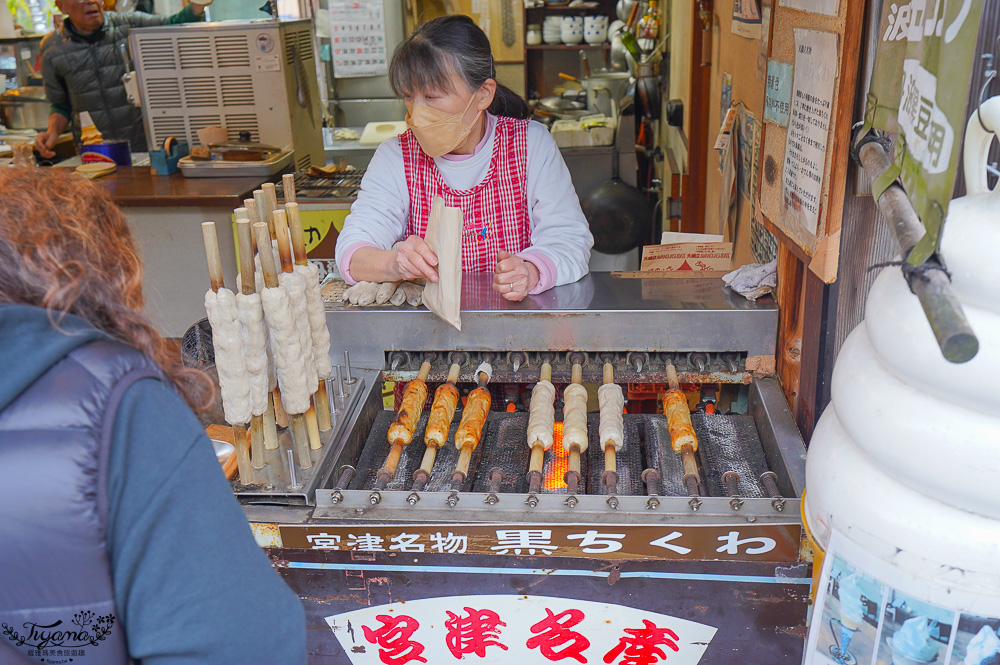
[{"x": 84, "y": 73}]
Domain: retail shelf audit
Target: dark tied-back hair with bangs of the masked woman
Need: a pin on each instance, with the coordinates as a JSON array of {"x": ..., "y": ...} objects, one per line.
[{"x": 425, "y": 60}]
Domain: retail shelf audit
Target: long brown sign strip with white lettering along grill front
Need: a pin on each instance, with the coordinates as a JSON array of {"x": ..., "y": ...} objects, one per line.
[{"x": 739, "y": 542}]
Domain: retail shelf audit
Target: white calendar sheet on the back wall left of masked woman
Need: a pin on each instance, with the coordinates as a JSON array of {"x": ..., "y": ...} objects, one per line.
[{"x": 357, "y": 37}]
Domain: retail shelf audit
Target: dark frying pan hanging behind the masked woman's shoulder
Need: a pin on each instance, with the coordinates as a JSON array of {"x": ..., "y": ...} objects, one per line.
[{"x": 620, "y": 216}]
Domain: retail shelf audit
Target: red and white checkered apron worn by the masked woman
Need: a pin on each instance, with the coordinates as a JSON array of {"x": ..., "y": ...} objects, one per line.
[{"x": 495, "y": 211}]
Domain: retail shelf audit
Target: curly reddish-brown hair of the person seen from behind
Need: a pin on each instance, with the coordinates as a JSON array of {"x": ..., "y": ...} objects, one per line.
[{"x": 66, "y": 247}]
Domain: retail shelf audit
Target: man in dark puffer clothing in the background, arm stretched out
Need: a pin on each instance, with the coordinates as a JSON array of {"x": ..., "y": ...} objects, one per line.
[{"x": 82, "y": 70}]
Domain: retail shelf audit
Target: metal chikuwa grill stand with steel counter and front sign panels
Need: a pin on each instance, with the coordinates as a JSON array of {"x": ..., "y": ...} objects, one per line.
[{"x": 723, "y": 565}]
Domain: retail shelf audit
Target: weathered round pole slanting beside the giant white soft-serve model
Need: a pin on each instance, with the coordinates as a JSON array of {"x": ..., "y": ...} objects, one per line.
[{"x": 954, "y": 335}]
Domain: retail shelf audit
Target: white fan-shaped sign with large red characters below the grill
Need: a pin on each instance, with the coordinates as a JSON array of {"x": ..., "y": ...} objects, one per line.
[{"x": 516, "y": 629}]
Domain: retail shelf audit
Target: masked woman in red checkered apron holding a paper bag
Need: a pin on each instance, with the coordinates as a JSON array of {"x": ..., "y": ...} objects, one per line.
[{"x": 469, "y": 142}]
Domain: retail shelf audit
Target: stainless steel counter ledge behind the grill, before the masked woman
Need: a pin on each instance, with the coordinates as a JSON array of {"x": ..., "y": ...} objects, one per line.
[{"x": 598, "y": 313}]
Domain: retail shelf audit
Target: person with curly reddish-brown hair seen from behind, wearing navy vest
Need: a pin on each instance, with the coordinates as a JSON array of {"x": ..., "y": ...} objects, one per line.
[{"x": 120, "y": 539}]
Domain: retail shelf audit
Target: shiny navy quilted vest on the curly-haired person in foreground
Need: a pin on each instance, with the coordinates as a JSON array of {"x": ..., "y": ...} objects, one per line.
[{"x": 56, "y": 595}]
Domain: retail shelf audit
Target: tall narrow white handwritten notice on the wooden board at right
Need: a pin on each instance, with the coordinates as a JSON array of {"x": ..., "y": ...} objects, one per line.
[{"x": 809, "y": 127}]
